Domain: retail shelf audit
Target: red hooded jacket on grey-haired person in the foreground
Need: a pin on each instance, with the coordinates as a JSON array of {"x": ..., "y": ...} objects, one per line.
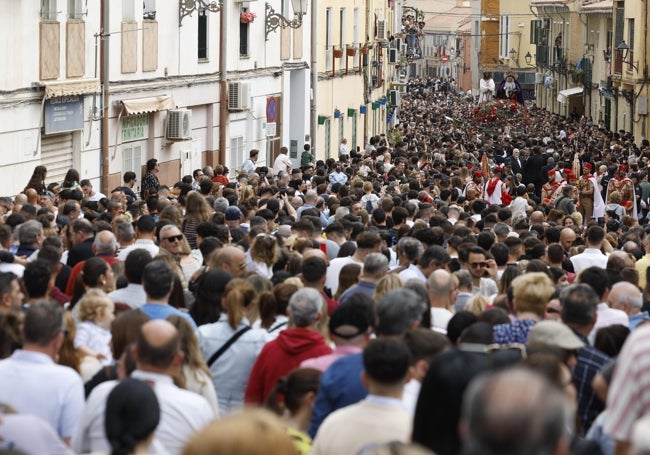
[{"x": 279, "y": 357}]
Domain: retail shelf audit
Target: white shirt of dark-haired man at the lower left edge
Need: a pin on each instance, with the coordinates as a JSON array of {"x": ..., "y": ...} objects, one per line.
[{"x": 32, "y": 383}]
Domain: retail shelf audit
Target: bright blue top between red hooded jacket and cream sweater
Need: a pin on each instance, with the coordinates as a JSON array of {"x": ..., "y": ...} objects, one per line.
[{"x": 340, "y": 386}]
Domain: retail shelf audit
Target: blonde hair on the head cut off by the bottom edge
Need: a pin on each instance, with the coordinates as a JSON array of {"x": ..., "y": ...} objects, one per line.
[{"x": 253, "y": 432}]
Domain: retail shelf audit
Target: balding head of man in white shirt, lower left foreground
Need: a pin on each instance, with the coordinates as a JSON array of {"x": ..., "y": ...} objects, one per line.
[{"x": 158, "y": 346}]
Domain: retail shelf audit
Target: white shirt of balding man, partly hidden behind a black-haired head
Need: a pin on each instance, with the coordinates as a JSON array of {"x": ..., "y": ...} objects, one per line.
[{"x": 182, "y": 413}]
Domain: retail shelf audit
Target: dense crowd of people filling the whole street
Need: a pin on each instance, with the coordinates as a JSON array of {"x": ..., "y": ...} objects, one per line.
[{"x": 458, "y": 286}]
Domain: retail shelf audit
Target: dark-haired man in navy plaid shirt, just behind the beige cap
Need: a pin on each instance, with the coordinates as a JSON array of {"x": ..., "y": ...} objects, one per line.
[{"x": 579, "y": 313}]
